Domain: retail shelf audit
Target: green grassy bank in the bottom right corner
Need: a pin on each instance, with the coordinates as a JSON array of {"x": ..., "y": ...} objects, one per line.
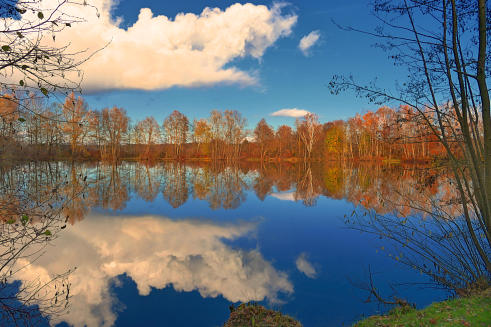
[{"x": 469, "y": 311}]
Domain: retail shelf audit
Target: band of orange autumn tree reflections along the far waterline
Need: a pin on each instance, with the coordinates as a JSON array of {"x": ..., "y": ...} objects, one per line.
[{"x": 381, "y": 188}]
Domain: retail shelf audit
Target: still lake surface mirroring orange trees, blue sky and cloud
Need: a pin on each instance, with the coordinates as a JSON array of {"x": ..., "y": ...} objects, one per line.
[{"x": 175, "y": 245}]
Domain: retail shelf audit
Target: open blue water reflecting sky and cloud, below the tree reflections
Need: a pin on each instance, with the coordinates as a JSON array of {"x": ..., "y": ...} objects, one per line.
[{"x": 151, "y": 264}]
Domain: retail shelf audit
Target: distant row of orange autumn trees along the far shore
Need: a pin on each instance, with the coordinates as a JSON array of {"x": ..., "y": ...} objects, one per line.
[{"x": 32, "y": 128}]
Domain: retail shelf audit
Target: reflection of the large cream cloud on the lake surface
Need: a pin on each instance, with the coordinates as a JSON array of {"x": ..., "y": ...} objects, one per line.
[{"x": 155, "y": 252}]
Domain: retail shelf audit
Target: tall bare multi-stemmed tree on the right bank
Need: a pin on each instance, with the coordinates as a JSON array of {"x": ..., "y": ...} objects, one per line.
[{"x": 443, "y": 44}]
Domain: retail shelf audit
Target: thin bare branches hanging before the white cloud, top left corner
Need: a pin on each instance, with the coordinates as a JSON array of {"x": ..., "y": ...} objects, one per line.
[{"x": 29, "y": 60}]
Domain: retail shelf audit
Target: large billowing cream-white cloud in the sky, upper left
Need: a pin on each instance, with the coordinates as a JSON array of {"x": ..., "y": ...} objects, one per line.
[{"x": 159, "y": 52}]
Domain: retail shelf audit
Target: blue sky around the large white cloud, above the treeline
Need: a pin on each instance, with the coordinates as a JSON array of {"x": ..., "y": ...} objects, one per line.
[{"x": 285, "y": 77}]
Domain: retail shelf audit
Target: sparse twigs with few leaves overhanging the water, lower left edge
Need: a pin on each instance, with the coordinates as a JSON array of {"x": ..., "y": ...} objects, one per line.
[{"x": 35, "y": 204}]
